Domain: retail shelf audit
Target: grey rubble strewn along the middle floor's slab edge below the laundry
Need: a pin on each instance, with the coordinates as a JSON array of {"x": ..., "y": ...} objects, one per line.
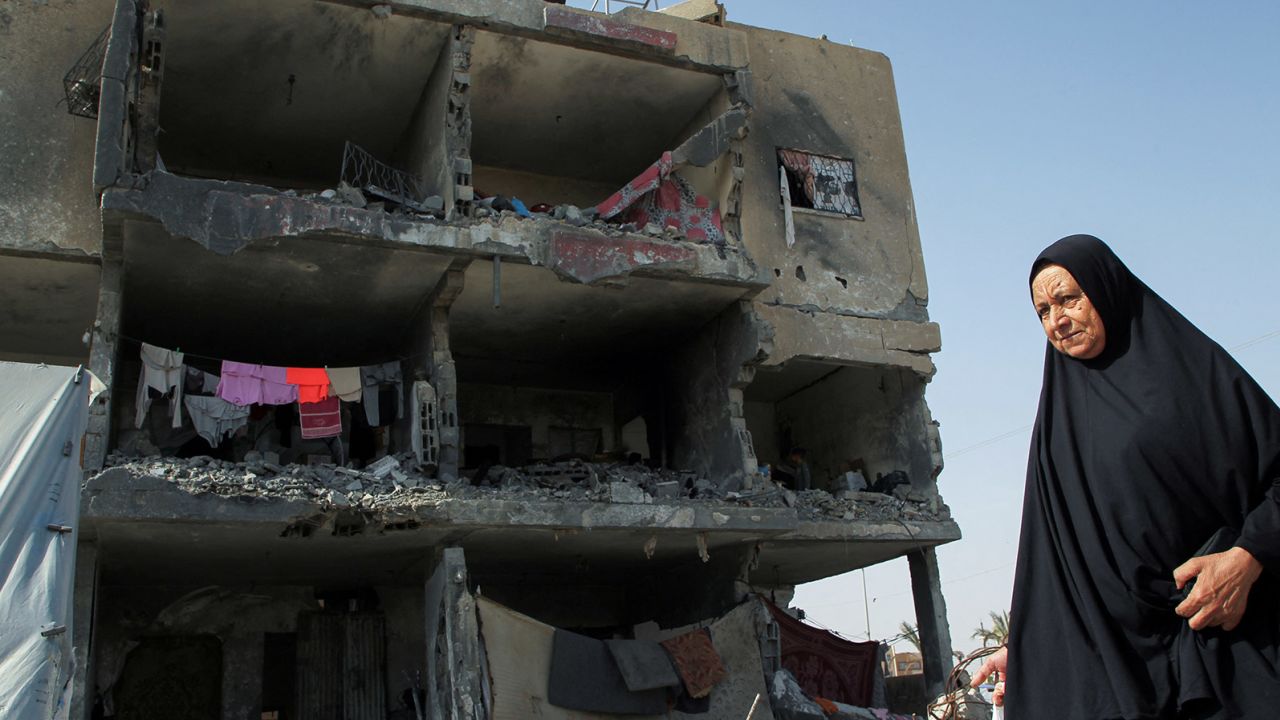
[{"x": 399, "y": 484}]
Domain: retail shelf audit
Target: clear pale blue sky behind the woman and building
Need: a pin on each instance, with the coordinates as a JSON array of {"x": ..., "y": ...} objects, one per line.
[{"x": 1150, "y": 124}]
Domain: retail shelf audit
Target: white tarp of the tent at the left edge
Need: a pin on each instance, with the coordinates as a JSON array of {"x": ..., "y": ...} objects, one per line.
[{"x": 43, "y": 417}]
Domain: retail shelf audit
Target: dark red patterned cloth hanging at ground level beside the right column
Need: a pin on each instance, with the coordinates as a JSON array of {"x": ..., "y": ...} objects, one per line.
[{"x": 826, "y": 666}]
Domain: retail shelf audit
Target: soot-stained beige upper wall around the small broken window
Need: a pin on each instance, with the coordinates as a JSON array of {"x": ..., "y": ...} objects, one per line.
[{"x": 831, "y": 99}]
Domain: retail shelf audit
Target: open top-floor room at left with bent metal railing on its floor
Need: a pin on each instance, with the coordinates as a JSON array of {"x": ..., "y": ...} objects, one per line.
[{"x": 310, "y": 78}]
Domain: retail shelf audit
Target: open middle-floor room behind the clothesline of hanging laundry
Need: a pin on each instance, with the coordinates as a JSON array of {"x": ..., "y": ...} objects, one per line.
[{"x": 291, "y": 302}]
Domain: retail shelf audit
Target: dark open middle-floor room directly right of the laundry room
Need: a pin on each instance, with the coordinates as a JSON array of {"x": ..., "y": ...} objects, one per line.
[{"x": 563, "y": 370}]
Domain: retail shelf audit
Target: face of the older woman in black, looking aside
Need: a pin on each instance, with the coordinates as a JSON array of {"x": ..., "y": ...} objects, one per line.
[{"x": 1071, "y": 321}]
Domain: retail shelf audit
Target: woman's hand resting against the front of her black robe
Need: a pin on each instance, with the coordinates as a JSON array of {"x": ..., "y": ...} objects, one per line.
[{"x": 1223, "y": 584}]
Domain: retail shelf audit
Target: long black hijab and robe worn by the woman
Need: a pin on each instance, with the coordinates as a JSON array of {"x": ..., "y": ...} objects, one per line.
[{"x": 1137, "y": 458}]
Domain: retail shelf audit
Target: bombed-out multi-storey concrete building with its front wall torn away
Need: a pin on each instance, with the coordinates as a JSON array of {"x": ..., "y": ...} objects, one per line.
[{"x": 614, "y": 267}]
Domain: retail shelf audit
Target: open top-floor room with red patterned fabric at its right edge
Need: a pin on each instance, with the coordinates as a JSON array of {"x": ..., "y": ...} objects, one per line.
[{"x": 537, "y": 138}]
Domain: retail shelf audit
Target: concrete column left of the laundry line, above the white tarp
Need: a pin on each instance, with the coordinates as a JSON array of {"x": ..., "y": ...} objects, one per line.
[{"x": 103, "y": 357}]
